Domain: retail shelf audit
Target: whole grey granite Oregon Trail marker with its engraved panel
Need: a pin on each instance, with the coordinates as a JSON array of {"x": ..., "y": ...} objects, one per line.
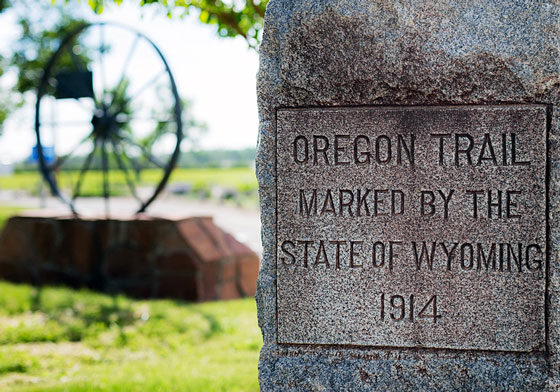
[{"x": 407, "y": 162}]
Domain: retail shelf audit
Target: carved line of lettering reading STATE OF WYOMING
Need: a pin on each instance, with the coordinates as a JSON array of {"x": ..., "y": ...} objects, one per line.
[{"x": 476, "y": 257}]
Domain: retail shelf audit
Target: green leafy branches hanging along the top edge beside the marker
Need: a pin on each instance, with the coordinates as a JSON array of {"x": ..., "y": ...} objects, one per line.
[{"x": 242, "y": 18}]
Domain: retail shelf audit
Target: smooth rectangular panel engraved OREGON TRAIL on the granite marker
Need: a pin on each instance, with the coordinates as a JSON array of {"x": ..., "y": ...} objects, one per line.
[{"x": 419, "y": 227}]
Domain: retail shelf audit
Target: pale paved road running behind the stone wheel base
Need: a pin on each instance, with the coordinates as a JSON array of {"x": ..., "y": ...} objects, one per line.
[{"x": 243, "y": 223}]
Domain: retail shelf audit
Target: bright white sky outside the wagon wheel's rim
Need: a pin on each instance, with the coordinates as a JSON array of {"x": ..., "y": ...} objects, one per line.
[{"x": 217, "y": 74}]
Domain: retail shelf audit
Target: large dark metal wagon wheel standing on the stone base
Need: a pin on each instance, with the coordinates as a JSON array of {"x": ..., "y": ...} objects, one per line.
[{"x": 109, "y": 100}]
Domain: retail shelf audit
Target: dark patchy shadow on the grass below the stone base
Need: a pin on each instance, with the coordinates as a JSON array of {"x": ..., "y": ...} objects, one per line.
[{"x": 57, "y": 314}]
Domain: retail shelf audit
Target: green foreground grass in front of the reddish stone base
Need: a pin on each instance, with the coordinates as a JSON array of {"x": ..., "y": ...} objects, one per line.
[{"x": 57, "y": 339}]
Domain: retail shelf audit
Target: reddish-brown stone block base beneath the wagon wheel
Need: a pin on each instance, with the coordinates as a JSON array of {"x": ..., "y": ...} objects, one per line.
[{"x": 190, "y": 259}]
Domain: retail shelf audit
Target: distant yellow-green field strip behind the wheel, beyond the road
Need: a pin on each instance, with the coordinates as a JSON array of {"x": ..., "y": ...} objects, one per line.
[{"x": 240, "y": 179}]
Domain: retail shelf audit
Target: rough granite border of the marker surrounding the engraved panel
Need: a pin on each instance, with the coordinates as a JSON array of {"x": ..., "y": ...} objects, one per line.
[{"x": 411, "y": 53}]
